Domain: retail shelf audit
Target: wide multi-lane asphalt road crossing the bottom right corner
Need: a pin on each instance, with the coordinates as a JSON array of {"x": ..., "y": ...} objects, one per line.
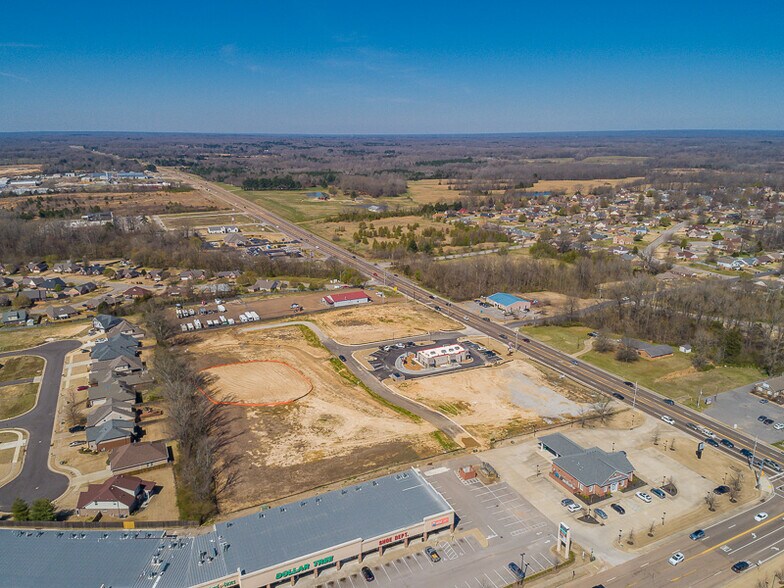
[{"x": 709, "y": 560}]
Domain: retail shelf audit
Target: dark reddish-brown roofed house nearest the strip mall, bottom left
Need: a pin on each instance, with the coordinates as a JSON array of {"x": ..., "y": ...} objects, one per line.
[{"x": 119, "y": 496}]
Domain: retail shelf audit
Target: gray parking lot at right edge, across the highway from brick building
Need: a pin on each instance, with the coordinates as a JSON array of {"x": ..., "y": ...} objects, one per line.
[{"x": 741, "y": 408}]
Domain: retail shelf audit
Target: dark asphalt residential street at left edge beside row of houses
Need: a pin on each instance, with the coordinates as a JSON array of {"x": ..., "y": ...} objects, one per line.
[{"x": 36, "y": 480}]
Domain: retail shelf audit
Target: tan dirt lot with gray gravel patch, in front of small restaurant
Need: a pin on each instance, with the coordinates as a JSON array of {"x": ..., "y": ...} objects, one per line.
[{"x": 494, "y": 402}]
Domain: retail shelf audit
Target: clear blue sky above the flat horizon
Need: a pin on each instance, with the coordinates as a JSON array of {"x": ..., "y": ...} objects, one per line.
[{"x": 405, "y": 67}]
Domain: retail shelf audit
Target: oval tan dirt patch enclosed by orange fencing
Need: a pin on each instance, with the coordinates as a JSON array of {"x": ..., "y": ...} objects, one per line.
[{"x": 257, "y": 382}]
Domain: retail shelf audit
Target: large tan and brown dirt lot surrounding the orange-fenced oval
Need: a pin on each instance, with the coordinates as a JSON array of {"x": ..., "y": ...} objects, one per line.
[{"x": 335, "y": 432}]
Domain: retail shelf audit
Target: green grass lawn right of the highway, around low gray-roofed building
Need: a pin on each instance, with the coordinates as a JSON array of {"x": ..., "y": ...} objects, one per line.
[{"x": 674, "y": 376}]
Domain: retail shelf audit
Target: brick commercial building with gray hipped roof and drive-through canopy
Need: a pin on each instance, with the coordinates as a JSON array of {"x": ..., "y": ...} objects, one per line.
[{"x": 587, "y": 472}]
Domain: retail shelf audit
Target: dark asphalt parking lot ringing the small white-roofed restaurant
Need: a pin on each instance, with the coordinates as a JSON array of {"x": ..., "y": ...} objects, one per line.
[{"x": 383, "y": 361}]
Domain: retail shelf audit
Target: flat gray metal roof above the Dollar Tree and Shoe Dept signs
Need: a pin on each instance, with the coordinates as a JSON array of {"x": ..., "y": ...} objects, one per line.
[{"x": 364, "y": 511}]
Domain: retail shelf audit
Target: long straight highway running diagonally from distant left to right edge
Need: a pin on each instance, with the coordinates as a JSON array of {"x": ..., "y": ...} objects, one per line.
[{"x": 586, "y": 374}]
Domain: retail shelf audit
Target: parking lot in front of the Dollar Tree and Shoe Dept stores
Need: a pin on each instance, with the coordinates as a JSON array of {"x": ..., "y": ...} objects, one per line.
[{"x": 496, "y": 525}]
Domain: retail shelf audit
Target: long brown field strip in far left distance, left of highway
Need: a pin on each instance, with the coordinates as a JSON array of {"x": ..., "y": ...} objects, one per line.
[{"x": 125, "y": 203}]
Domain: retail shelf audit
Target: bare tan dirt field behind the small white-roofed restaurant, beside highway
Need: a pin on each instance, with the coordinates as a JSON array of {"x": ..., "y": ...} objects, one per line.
[{"x": 379, "y": 321}]
